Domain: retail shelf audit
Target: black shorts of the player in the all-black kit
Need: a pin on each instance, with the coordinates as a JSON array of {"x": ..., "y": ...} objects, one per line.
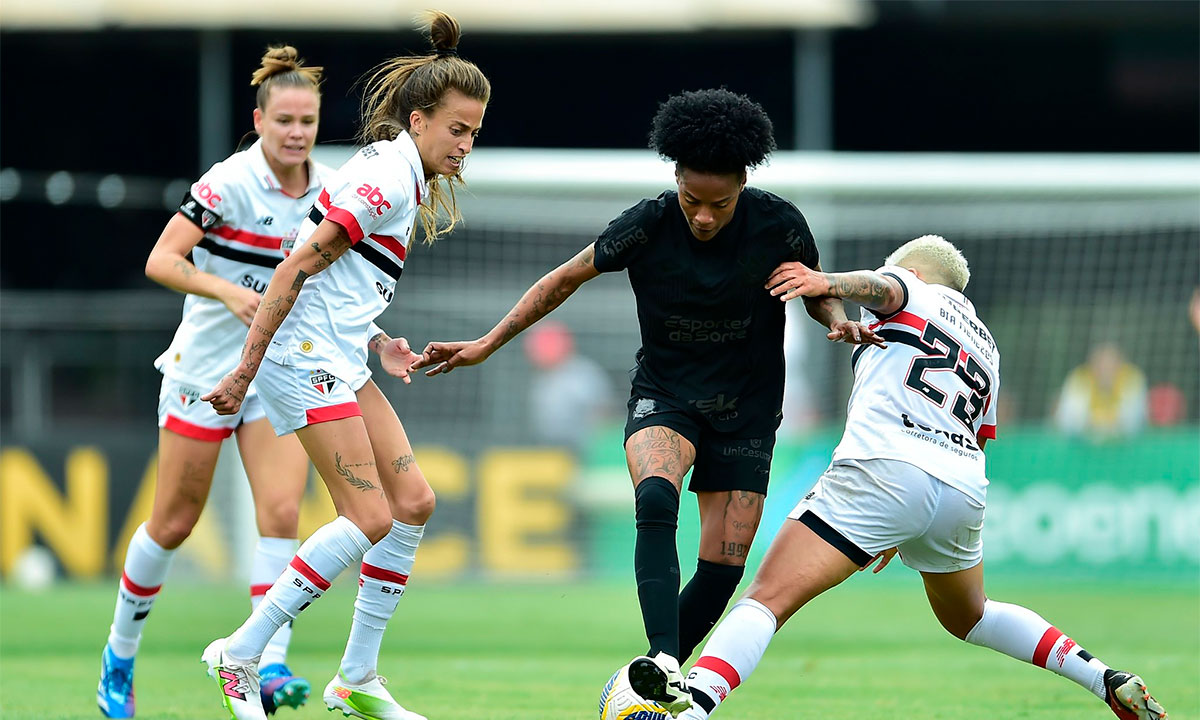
[{"x": 724, "y": 460}]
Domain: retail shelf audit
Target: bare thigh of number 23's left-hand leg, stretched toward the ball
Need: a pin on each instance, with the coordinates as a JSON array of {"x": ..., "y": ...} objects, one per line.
[{"x": 799, "y": 567}]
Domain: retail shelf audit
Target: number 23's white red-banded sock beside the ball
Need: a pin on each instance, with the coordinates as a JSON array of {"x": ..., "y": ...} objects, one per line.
[{"x": 731, "y": 655}]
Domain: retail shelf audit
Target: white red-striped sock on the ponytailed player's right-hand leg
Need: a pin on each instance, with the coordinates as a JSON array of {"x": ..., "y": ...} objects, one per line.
[{"x": 382, "y": 581}]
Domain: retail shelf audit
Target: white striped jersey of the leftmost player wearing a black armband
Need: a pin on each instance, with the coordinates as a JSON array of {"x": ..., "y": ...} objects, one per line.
[{"x": 247, "y": 219}]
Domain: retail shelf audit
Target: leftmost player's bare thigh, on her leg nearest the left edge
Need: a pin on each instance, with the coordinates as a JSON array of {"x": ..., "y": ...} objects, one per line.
[{"x": 182, "y": 487}]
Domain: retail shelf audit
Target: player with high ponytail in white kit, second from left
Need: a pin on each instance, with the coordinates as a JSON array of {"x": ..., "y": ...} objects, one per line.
[{"x": 308, "y": 347}]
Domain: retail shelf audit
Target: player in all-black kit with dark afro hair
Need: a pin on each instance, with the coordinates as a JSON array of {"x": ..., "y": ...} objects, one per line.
[{"x": 709, "y": 387}]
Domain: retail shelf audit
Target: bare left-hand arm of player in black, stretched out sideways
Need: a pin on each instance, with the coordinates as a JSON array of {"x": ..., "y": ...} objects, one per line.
[{"x": 538, "y": 302}]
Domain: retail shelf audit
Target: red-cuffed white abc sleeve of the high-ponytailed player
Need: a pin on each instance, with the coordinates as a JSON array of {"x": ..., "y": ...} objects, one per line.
[{"x": 375, "y": 201}]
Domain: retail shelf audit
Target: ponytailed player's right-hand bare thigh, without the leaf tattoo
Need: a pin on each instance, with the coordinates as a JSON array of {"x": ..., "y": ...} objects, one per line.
[{"x": 410, "y": 495}]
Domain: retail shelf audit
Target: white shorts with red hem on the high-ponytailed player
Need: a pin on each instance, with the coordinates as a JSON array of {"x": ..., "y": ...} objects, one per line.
[{"x": 297, "y": 397}]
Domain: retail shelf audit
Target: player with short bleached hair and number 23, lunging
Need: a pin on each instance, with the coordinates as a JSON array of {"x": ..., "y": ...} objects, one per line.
[{"x": 909, "y": 478}]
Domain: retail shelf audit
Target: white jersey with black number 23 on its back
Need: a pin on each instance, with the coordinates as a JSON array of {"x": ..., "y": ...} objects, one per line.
[{"x": 931, "y": 397}]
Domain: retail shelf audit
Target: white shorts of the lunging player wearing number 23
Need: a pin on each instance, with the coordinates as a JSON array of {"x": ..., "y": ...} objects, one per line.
[{"x": 865, "y": 507}]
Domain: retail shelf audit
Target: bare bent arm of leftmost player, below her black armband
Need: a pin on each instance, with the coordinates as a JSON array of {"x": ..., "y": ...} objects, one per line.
[{"x": 169, "y": 266}]
